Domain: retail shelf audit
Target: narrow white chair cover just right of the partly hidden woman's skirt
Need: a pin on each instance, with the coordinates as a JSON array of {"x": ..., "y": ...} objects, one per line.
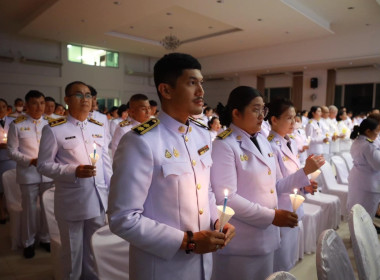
[{"x": 311, "y": 221}]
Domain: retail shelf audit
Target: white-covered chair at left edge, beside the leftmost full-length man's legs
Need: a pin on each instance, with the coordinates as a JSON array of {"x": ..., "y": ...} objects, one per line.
[{"x": 13, "y": 198}]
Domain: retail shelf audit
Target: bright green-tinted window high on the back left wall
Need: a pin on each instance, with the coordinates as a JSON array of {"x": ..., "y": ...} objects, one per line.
[{"x": 90, "y": 56}]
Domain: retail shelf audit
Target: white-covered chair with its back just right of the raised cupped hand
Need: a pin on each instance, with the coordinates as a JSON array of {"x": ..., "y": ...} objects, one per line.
[{"x": 332, "y": 187}]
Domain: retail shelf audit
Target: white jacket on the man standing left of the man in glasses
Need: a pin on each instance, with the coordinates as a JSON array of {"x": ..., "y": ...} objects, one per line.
[{"x": 23, "y": 144}]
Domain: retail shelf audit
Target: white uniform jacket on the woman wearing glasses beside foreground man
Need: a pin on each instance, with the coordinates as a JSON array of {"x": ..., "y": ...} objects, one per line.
[{"x": 253, "y": 180}]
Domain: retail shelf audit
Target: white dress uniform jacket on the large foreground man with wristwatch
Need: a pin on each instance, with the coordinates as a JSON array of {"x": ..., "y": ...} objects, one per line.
[{"x": 159, "y": 189}]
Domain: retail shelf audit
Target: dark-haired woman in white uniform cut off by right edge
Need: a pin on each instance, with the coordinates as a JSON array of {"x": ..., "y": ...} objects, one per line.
[{"x": 364, "y": 178}]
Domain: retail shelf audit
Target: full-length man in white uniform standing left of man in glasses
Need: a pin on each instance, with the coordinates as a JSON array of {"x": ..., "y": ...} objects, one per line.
[{"x": 23, "y": 145}]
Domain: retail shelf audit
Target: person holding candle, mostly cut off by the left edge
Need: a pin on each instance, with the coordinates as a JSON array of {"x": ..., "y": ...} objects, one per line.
[{"x": 6, "y": 162}]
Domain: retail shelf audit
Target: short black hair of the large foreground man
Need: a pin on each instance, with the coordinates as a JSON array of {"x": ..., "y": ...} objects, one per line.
[{"x": 170, "y": 67}]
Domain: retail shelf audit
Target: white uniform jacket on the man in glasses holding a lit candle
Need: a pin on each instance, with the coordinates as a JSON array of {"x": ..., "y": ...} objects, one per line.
[{"x": 63, "y": 148}]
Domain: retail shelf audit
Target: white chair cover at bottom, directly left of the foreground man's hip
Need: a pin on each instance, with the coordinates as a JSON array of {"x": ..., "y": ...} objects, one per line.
[{"x": 111, "y": 254}]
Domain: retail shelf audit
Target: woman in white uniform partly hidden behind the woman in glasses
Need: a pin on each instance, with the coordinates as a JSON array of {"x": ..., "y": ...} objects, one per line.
[{"x": 282, "y": 119}]
